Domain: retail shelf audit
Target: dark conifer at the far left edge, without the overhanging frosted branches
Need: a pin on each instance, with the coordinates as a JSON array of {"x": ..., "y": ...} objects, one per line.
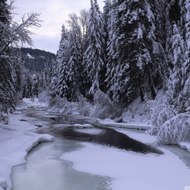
[{"x": 6, "y": 84}]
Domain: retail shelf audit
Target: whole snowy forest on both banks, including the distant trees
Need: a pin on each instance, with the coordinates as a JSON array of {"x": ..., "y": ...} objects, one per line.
[{"x": 132, "y": 49}]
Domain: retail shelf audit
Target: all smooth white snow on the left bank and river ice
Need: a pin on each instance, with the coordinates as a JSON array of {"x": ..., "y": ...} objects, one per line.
[{"x": 126, "y": 169}]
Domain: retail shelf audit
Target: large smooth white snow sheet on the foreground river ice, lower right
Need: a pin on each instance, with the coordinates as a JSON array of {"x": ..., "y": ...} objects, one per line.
[{"x": 130, "y": 170}]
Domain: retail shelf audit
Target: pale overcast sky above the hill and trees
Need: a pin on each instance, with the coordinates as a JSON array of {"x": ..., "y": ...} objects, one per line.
[{"x": 53, "y": 14}]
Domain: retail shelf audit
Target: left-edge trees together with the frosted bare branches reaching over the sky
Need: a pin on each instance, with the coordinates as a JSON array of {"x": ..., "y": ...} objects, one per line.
[{"x": 11, "y": 34}]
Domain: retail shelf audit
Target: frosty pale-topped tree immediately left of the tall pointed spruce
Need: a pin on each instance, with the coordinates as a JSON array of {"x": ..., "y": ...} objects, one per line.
[{"x": 77, "y": 75}]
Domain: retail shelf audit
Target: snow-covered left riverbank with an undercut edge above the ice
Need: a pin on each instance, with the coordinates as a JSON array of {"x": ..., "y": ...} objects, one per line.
[{"x": 16, "y": 140}]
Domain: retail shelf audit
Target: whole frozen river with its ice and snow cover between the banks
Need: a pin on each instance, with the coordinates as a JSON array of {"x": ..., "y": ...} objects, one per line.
[{"x": 89, "y": 164}]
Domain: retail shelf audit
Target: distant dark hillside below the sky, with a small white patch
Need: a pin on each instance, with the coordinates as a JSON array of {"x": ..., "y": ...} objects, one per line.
[{"x": 36, "y": 60}]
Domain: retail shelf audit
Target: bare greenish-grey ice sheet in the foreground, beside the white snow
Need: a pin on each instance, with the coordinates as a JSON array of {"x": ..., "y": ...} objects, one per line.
[{"x": 46, "y": 171}]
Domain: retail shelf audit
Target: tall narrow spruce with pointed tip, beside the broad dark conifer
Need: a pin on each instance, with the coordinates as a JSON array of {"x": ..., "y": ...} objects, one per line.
[{"x": 94, "y": 55}]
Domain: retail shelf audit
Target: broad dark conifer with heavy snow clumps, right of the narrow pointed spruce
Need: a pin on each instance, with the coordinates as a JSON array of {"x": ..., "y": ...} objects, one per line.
[{"x": 132, "y": 68}]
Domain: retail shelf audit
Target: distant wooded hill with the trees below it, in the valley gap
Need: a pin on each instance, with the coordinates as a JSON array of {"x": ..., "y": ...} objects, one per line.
[{"x": 36, "y": 66}]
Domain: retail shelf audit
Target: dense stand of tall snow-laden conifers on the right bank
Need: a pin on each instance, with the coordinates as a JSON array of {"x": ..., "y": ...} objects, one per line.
[{"x": 133, "y": 48}]
